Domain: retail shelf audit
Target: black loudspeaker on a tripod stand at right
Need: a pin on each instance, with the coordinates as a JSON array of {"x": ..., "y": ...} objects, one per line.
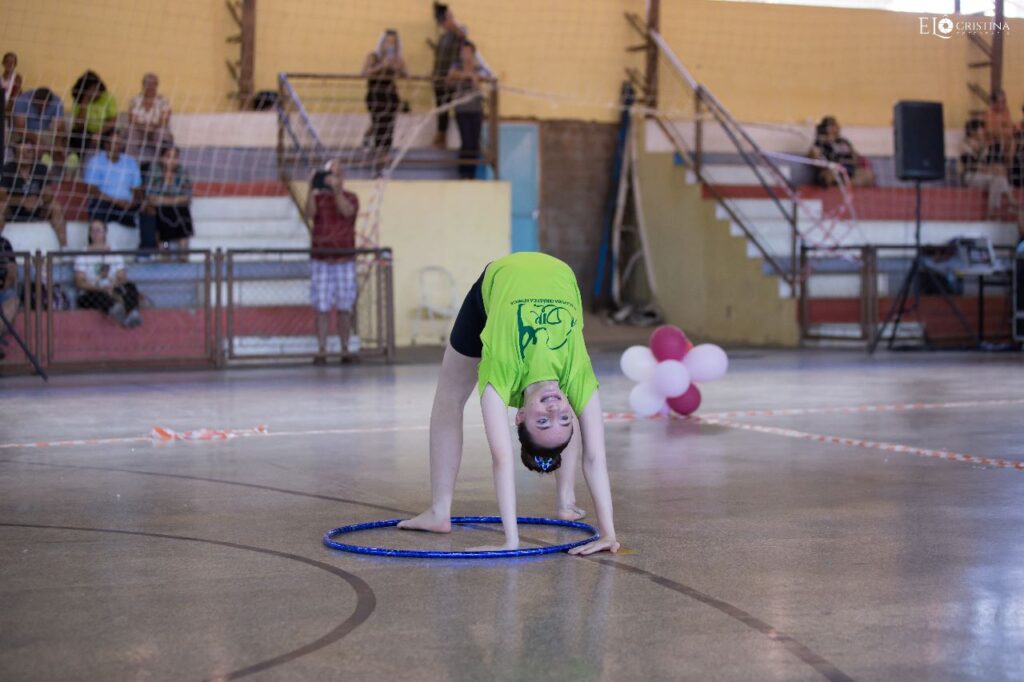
[{"x": 921, "y": 150}]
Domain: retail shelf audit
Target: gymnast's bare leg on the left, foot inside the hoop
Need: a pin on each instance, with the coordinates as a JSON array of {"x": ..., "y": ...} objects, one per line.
[{"x": 457, "y": 381}]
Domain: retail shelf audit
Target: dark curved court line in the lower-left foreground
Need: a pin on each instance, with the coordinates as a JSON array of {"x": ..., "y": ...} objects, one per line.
[{"x": 366, "y": 600}]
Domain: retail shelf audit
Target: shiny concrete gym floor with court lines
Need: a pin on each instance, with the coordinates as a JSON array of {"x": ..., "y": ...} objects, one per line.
[{"x": 865, "y": 522}]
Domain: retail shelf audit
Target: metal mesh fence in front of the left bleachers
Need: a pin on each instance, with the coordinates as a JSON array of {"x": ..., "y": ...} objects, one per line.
[{"x": 203, "y": 309}]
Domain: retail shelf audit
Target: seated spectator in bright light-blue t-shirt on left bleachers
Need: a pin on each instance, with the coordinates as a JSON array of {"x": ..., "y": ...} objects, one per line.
[{"x": 115, "y": 184}]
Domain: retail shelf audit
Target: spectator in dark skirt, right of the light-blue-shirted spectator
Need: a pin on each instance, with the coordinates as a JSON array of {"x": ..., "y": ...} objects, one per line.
[{"x": 168, "y": 196}]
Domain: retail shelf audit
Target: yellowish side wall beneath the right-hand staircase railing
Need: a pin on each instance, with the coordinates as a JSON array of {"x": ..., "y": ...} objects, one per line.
[{"x": 706, "y": 283}]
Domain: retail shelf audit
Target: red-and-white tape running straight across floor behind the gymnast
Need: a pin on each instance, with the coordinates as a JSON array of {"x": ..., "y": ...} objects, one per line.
[{"x": 610, "y": 417}]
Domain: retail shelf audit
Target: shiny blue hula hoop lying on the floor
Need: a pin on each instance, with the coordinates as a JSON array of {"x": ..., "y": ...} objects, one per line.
[{"x": 495, "y": 555}]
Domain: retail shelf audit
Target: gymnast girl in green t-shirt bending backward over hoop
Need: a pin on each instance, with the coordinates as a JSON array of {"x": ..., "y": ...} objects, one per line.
[{"x": 519, "y": 338}]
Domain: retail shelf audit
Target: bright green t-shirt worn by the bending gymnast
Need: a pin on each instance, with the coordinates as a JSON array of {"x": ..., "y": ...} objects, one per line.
[{"x": 534, "y": 330}]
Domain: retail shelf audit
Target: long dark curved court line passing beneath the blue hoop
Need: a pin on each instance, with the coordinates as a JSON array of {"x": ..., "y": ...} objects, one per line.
[{"x": 794, "y": 647}]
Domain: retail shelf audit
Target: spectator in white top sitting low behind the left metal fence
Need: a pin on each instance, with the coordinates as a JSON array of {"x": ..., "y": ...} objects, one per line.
[{"x": 103, "y": 283}]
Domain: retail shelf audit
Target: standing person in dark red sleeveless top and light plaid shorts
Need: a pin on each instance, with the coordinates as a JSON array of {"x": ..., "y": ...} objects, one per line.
[{"x": 332, "y": 278}]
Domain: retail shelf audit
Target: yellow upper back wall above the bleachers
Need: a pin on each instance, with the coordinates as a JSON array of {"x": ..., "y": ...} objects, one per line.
[{"x": 767, "y": 63}]
